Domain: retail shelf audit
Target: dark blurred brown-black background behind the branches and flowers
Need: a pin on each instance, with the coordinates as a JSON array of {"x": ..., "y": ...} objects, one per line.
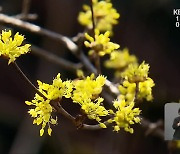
[{"x": 147, "y": 28}]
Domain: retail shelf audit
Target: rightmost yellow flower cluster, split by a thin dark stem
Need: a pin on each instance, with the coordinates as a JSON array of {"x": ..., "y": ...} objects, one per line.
[{"x": 136, "y": 82}]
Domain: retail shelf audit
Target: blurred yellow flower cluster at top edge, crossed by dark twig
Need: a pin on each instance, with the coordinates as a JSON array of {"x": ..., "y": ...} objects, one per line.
[{"x": 104, "y": 14}]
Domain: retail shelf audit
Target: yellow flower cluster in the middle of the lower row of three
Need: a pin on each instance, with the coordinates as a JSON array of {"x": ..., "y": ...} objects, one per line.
[{"x": 86, "y": 93}]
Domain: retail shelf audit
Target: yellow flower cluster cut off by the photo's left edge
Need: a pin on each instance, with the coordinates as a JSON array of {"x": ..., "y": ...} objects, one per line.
[{"x": 11, "y": 47}]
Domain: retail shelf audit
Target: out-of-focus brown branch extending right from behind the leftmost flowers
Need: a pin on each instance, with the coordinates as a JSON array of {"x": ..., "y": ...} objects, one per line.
[{"x": 55, "y": 59}]
